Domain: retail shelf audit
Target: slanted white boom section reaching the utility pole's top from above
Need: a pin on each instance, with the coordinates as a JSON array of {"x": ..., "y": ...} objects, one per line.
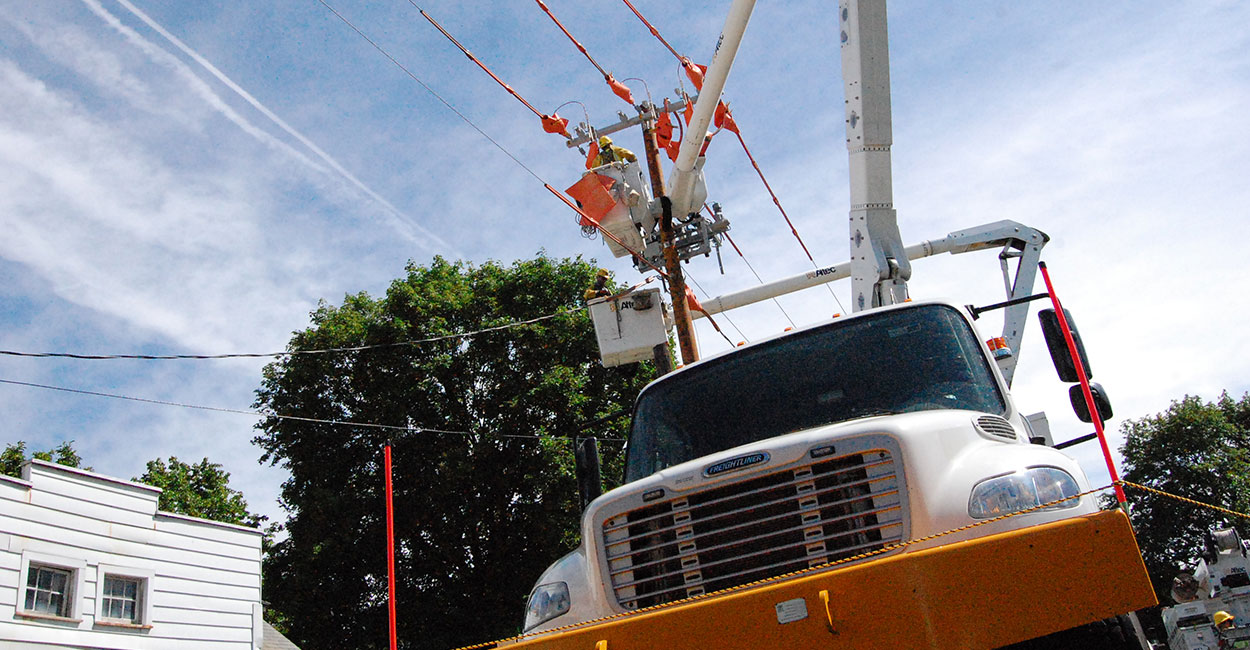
[{"x": 682, "y": 187}]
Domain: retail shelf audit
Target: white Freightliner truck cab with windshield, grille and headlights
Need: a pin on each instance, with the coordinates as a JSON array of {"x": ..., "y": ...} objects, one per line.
[{"x": 816, "y": 447}]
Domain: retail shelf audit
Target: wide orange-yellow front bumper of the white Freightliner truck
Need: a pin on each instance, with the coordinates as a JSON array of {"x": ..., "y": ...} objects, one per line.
[{"x": 978, "y": 594}]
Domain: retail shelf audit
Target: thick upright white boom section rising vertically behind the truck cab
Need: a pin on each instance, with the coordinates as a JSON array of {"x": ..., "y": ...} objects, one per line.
[{"x": 879, "y": 267}]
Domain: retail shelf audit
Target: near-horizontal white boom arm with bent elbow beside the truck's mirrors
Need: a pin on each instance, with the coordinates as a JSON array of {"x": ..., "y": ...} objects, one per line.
[{"x": 1017, "y": 241}]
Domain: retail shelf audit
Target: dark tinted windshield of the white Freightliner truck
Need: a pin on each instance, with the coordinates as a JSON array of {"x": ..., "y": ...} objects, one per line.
[{"x": 914, "y": 359}]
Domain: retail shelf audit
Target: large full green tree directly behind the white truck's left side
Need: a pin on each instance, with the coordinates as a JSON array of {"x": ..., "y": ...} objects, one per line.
[{"x": 479, "y": 513}]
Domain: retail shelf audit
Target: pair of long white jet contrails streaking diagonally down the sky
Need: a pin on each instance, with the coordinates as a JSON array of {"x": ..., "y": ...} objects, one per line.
[{"x": 404, "y": 223}]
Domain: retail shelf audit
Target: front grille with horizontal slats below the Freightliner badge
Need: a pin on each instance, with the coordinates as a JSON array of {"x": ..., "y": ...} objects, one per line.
[{"x": 756, "y": 529}]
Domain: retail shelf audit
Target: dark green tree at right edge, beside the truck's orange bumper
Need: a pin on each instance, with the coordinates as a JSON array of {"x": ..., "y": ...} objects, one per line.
[{"x": 1199, "y": 451}]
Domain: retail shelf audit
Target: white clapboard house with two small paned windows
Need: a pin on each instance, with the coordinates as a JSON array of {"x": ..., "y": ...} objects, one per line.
[{"x": 87, "y": 562}]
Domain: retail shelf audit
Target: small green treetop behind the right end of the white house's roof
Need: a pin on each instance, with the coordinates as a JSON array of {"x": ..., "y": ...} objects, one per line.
[{"x": 201, "y": 491}]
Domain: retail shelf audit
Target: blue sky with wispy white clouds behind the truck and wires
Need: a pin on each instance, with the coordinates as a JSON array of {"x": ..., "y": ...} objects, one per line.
[{"x": 148, "y": 206}]
